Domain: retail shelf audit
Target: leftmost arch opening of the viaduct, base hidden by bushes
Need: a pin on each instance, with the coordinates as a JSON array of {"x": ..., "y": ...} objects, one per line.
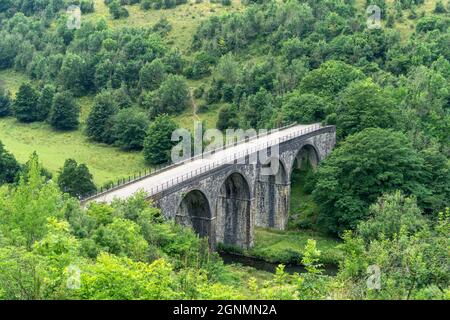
[{"x": 194, "y": 211}]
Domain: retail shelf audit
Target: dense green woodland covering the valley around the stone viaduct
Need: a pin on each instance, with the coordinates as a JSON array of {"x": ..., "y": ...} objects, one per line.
[{"x": 384, "y": 190}]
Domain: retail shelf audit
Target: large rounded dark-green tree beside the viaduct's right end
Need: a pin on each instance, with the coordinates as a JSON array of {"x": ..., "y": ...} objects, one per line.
[{"x": 366, "y": 165}]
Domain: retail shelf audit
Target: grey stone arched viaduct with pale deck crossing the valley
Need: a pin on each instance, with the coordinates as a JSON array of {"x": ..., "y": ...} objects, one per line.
[{"x": 224, "y": 195}]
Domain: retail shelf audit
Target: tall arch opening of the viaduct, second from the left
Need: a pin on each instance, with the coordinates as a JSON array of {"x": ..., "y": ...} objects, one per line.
[{"x": 233, "y": 207}]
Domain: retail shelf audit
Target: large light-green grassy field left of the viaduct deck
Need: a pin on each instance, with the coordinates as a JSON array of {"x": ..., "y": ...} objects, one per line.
[{"x": 105, "y": 163}]
